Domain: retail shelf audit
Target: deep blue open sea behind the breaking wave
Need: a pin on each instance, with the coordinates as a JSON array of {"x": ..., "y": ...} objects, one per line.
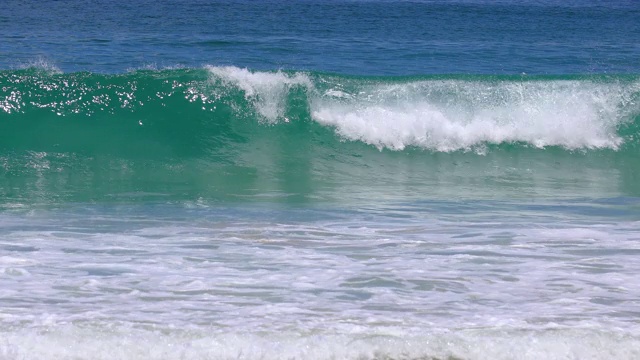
[{"x": 347, "y": 37}]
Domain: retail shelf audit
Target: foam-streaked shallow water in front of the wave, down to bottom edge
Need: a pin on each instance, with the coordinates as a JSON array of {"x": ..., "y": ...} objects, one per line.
[{"x": 406, "y": 281}]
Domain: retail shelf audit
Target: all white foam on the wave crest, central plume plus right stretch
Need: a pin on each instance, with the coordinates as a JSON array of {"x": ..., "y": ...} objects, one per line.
[{"x": 450, "y": 115}]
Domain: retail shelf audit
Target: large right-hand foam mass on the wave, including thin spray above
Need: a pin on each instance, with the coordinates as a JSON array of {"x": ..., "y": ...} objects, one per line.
[{"x": 461, "y": 115}]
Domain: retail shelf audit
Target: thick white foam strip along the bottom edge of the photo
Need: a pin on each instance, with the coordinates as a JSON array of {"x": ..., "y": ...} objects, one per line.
[{"x": 121, "y": 342}]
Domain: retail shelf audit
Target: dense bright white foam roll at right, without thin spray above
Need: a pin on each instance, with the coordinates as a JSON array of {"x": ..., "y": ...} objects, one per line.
[{"x": 571, "y": 124}]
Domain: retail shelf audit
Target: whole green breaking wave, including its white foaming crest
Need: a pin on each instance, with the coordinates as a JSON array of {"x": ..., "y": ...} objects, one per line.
[{"x": 217, "y": 131}]
